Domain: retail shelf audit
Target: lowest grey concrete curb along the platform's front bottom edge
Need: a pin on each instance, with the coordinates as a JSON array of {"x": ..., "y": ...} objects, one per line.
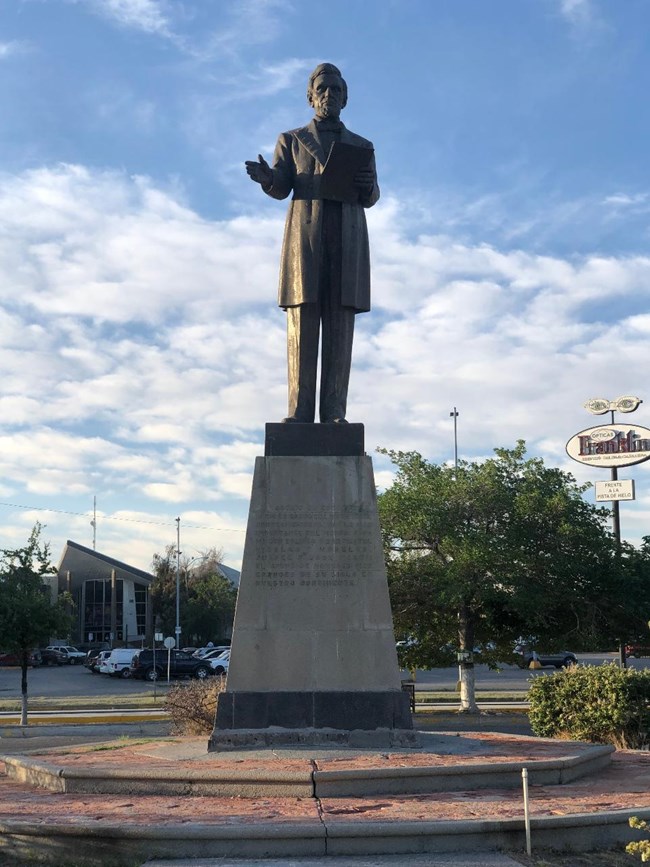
[{"x": 122, "y": 843}]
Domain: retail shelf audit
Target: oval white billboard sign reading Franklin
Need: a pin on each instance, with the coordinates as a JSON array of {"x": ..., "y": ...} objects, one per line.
[{"x": 613, "y": 445}]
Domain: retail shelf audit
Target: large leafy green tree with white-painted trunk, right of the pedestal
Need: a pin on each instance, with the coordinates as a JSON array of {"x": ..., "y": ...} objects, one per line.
[{"x": 480, "y": 555}]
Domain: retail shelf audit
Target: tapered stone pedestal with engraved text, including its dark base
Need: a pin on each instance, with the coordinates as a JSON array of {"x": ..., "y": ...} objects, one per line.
[{"x": 313, "y": 654}]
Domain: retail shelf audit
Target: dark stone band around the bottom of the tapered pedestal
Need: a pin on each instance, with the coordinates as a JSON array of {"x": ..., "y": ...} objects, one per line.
[{"x": 342, "y": 711}]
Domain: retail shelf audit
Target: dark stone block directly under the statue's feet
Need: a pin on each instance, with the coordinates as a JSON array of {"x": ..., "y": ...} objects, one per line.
[{"x": 309, "y": 440}]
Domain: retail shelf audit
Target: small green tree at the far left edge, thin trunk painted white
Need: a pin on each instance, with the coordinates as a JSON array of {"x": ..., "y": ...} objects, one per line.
[{"x": 27, "y": 615}]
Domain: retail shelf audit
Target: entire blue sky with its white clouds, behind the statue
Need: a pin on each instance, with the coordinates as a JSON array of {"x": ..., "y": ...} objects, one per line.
[{"x": 140, "y": 343}]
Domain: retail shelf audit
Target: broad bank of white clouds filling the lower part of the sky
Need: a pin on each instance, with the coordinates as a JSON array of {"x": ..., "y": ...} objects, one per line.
[{"x": 142, "y": 349}]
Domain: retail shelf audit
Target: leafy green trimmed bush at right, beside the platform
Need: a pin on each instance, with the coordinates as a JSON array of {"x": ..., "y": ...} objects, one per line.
[{"x": 603, "y": 704}]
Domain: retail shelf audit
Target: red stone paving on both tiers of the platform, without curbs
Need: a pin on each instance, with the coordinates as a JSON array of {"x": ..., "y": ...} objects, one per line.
[{"x": 624, "y": 785}]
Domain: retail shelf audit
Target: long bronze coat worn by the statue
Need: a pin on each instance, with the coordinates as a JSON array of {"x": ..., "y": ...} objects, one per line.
[{"x": 297, "y": 165}]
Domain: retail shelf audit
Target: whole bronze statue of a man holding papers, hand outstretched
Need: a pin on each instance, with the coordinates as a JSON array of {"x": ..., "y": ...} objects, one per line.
[{"x": 325, "y": 267}]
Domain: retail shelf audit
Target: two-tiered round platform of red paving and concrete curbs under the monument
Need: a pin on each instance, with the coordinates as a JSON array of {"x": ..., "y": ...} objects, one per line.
[{"x": 117, "y": 802}]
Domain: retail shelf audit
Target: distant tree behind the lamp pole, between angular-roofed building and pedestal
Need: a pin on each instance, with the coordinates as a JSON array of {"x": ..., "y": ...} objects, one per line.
[{"x": 207, "y": 598}]
